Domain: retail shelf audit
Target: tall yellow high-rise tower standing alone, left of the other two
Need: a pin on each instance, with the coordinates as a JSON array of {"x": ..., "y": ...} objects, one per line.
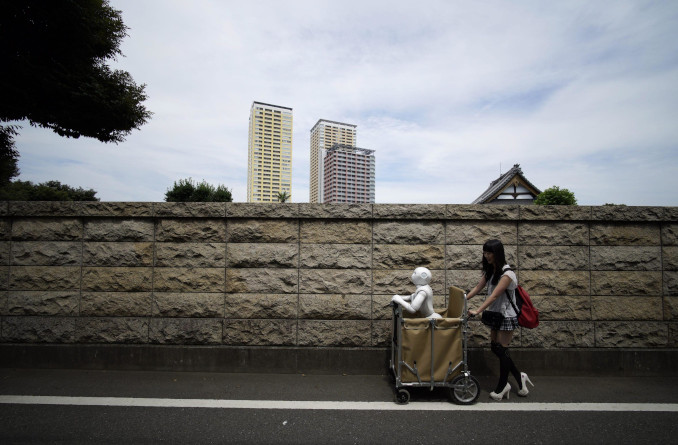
[{"x": 269, "y": 163}]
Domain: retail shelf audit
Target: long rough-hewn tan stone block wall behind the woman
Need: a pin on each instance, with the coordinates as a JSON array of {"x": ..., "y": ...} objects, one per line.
[{"x": 318, "y": 276}]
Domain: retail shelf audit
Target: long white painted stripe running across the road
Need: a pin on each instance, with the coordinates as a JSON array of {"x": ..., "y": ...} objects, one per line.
[{"x": 328, "y": 405}]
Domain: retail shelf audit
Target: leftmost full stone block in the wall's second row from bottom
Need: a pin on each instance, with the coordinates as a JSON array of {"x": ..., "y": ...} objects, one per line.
[{"x": 43, "y": 303}]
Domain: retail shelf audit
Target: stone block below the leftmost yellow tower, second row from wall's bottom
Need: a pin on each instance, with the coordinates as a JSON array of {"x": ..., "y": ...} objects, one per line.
[{"x": 263, "y": 306}]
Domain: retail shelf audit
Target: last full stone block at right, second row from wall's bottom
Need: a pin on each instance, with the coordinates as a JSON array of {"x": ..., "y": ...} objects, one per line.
[{"x": 626, "y": 308}]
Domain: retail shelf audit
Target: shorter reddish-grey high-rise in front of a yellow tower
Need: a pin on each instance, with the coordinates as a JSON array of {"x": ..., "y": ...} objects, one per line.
[{"x": 348, "y": 174}]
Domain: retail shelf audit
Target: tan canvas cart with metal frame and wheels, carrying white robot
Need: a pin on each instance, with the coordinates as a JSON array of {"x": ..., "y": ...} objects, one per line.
[{"x": 433, "y": 352}]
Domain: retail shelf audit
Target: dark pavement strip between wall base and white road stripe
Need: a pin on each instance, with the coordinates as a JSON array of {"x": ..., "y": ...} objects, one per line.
[{"x": 301, "y": 387}]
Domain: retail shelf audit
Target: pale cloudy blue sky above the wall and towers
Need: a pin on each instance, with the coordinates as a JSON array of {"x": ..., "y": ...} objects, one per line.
[{"x": 450, "y": 94}]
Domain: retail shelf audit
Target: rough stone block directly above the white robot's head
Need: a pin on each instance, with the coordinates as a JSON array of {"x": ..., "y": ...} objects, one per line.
[{"x": 394, "y": 256}]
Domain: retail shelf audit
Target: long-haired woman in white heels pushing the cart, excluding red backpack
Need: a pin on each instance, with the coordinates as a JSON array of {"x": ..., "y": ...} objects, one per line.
[{"x": 499, "y": 278}]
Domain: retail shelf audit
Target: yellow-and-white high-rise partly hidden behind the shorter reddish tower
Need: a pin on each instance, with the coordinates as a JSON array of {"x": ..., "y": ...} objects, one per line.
[{"x": 324, "y": 135}]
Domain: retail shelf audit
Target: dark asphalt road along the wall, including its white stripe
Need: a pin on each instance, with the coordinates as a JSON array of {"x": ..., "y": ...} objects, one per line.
[{"x": 594, "y": 410}]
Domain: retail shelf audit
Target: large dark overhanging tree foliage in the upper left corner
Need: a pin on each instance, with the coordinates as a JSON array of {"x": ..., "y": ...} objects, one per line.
[{"x": 54, "y": 71}]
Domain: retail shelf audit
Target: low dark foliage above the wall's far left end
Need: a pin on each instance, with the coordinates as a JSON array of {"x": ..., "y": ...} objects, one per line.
[{"x": 46, "y": 191}]
